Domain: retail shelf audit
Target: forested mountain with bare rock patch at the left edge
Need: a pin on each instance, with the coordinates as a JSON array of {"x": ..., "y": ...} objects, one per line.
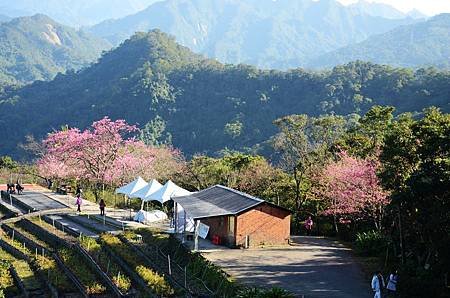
[{"x": 37, "y": 48}]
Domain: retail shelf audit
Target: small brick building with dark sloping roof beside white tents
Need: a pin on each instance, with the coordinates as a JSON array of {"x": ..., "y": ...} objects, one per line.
[{"x": 236, "y": 218}]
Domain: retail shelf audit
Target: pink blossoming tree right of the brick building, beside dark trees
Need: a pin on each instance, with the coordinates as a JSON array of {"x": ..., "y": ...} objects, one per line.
[{"x": 351, "y": 189}]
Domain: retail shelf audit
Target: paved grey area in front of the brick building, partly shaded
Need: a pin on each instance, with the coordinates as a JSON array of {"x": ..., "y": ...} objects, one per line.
[{"x": 312, "y": 266}]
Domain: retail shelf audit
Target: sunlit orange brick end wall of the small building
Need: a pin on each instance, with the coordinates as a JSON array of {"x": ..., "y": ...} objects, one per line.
[{"x": 265, "y": 225}]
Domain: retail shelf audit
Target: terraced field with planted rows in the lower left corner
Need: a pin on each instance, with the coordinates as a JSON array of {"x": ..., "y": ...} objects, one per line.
[{"x": 71, "y": 255}]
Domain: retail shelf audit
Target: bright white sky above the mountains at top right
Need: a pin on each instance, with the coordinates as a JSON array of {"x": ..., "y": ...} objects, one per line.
[{"x": 429, "y": 7}]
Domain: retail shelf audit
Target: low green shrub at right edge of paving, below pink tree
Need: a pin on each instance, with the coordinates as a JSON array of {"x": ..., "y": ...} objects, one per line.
[{"x": 371, "y": 243}]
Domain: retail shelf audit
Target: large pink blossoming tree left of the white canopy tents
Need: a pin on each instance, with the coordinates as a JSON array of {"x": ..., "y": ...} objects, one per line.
[{"x": 103, "y": 154}]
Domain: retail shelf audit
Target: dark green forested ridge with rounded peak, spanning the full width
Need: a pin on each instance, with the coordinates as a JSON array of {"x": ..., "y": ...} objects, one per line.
[{"x": 202, "y": 105}]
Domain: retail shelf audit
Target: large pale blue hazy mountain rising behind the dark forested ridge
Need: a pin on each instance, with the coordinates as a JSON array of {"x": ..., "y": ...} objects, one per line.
[{"x": 270, "y": 34}]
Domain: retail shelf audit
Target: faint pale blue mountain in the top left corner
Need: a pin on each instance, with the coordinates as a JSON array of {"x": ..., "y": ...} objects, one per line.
[{"x": 75, "y": 13}]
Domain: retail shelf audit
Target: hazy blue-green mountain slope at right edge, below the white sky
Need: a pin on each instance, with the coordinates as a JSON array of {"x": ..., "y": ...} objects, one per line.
[{"x": 422, "y": 44}]
